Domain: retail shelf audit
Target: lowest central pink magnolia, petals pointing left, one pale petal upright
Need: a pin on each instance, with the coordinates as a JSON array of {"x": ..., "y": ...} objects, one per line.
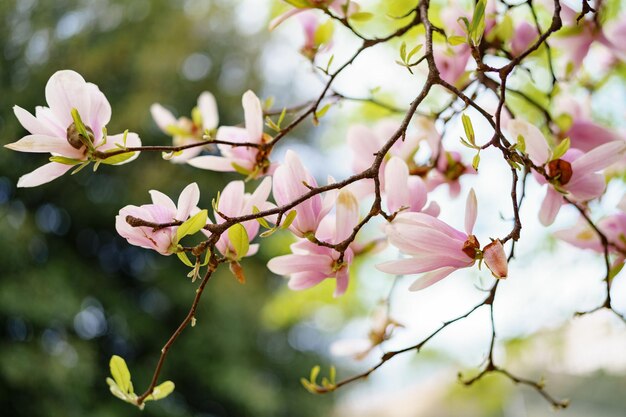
[{"x": 310, "y": 264}]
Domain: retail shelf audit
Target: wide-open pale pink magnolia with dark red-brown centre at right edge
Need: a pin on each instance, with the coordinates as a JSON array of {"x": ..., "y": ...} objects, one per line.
[{"x": 574, "y": 175}]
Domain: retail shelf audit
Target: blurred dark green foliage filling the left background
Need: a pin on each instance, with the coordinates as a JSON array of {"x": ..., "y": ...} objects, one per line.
[{"x": 72, "y": 292}]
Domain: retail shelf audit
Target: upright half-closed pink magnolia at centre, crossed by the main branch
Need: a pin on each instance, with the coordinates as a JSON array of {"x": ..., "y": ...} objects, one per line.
[{"x": 289, "y": 180}]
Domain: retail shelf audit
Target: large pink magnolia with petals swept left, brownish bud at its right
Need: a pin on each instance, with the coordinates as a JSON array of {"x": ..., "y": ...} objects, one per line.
[{"x": 436, "y": 248}]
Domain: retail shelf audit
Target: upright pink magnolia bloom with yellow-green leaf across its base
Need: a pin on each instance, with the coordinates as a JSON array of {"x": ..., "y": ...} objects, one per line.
[{"x": 234, "y": 202}]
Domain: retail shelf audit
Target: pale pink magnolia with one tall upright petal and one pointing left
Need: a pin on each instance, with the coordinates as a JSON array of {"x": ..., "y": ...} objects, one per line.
[{"x": 242, "y": 159}]
